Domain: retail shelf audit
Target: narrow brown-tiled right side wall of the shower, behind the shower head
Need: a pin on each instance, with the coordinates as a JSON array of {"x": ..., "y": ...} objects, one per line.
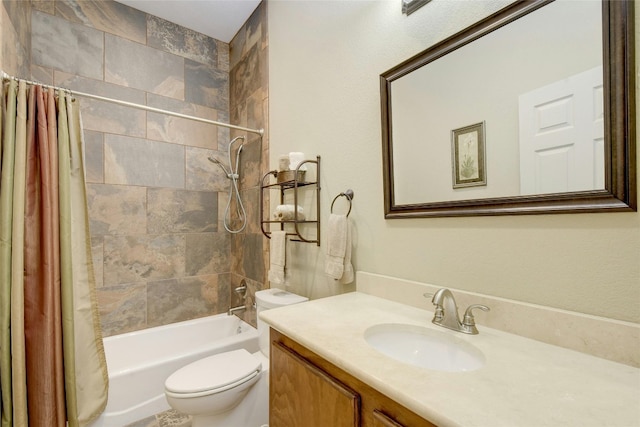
[{"x": 249, "y": 106}]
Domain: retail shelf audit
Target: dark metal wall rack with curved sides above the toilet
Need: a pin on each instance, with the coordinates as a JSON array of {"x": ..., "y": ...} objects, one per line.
[{"x": 293, "y": 185}]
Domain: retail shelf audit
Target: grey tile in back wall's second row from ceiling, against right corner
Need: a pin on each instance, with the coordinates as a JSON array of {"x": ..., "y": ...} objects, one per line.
[{"x": 206, "y": 85}]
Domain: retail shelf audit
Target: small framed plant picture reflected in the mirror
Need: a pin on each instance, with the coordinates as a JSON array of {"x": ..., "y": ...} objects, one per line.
[{"x": 468, "y": 154}]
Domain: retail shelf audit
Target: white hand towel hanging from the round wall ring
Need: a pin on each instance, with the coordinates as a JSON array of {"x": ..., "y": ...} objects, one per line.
[{"x": 338, "y": 264}]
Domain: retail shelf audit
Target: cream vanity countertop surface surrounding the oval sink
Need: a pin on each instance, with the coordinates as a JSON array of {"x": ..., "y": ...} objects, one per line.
[{"x": 523, "y": 383}]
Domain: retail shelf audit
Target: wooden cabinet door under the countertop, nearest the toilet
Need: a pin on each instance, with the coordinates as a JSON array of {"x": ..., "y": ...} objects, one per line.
[{"x": 302, "y": 395}]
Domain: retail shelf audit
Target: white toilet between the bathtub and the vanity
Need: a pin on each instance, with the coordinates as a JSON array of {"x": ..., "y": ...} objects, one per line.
[{"x": 229, "y": 389}]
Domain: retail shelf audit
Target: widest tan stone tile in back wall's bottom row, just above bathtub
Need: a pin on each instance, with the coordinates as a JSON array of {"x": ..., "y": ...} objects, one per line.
[{"x": 181, "y": 299}]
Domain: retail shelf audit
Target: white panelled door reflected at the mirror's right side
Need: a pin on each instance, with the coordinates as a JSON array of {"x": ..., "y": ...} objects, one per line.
[{"x": 562, "y": 136}]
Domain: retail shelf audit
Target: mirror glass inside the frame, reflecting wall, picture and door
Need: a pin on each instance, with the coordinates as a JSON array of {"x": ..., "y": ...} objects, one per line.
[{"x": 517, "y": 112}]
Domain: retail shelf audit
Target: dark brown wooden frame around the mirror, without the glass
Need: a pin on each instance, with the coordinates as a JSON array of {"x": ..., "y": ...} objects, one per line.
[{"x": 620, "y": 192}]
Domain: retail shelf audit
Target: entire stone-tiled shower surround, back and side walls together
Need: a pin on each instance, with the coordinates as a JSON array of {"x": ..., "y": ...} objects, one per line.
[{"x": 156, "y": 203}]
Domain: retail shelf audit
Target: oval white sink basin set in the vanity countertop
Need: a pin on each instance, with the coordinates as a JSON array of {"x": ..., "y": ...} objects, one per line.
[{"x": 425, "y": 347}]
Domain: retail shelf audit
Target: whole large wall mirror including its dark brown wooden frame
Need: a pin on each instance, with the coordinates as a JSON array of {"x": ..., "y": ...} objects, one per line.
[{"x": 529, "y": 111}]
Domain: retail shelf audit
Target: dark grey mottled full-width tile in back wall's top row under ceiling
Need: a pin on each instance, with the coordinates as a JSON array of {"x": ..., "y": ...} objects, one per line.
[{"x": 181, "y": 41}]
